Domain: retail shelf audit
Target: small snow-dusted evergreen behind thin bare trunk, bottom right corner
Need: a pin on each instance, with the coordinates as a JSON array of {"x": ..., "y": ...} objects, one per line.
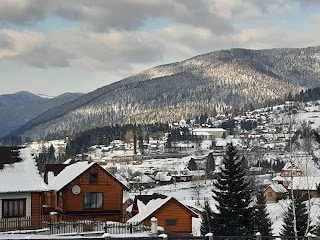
[{"x": 302, "y": 220}]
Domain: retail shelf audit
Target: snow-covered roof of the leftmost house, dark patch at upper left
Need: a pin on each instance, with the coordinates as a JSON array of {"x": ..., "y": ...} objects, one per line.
[{"x": 22, "y": 176}]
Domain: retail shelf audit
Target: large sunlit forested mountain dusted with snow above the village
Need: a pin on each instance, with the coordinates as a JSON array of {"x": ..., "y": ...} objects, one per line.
[{"x": 205, "y": 83}]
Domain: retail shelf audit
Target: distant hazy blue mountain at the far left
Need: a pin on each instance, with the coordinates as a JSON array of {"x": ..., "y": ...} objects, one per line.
[{"x": 19, "y": 108}]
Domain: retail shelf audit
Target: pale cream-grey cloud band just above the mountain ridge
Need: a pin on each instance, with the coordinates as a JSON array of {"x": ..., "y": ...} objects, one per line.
[{"x": 121, "y": 53}]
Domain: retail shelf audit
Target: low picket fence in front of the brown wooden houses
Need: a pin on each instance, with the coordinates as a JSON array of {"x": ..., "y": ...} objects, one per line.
[{"x": 61, "y": 227}]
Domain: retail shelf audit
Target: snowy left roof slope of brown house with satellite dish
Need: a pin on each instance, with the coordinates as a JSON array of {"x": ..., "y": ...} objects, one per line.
[{"x": 68, "y": 174}]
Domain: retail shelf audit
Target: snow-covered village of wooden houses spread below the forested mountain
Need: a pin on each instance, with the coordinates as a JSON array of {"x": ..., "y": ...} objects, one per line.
[{"x": 110, "y": 187}]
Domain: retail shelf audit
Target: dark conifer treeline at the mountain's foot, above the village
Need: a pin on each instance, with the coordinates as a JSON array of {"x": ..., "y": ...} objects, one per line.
[{"x": 105, "y": 135}]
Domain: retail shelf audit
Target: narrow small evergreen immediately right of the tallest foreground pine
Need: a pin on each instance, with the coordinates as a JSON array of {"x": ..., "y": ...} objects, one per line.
[{"x": 262, "y": 221}]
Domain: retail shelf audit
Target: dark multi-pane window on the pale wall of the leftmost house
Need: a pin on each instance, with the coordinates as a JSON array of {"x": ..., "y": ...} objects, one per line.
[{"x": 14, "y": 208}]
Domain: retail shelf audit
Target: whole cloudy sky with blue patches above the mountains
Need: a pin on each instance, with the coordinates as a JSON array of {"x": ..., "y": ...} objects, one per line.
[{"x": 52, "y": 47}]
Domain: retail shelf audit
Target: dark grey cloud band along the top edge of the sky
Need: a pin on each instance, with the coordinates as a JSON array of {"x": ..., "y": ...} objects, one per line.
[{"x": 115, "y": 15}]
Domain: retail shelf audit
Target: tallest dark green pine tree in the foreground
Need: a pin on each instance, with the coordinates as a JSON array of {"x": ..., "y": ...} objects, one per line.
[{"x": 235, "y": 217}]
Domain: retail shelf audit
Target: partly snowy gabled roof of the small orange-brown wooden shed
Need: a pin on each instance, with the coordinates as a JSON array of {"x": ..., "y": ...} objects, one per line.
[{"x": 149, "y": 204}]
